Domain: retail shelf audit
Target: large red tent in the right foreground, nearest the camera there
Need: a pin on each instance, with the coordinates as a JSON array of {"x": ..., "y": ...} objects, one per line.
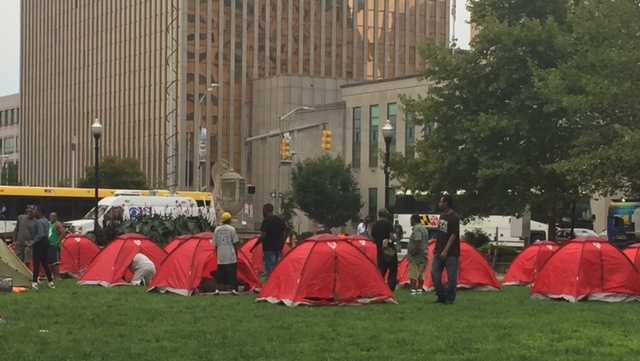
[{"x": 588, "y": 269}]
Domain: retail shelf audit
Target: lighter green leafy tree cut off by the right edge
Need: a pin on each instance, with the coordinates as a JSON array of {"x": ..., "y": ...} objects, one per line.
[{"x": 599, "y": 87}]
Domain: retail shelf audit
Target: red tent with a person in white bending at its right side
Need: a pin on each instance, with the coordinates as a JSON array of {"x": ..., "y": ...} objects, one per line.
[{"x": 111, "y": 266}]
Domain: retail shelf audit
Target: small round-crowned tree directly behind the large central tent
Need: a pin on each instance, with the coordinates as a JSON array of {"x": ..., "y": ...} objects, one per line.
[{"x": 326, "y": 191}]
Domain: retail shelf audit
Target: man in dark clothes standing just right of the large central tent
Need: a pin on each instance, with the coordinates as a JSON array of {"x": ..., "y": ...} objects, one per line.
[{"x": 382, "y": 234}]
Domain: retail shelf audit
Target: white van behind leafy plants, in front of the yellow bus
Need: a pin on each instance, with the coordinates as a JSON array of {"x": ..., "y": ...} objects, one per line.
[{"x": 132, "y": 206}]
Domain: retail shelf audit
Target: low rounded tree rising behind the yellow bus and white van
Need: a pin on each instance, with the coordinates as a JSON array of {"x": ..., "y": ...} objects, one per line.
[{"x": 116, "y": 173}]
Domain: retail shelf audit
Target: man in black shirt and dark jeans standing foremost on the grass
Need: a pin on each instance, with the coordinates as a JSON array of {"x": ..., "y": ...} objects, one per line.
[{"x": 447, "y": 252}]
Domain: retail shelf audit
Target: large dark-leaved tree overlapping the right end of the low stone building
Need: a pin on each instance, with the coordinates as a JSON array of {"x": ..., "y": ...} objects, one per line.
[{"x": 493, "y": 140}]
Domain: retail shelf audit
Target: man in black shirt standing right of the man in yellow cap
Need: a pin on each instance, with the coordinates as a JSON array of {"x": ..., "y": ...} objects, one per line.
[{"x": 272, "y": 237}]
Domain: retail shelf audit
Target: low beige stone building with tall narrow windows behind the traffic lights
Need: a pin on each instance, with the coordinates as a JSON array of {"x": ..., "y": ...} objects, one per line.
[{"x": 353, "y": 111}]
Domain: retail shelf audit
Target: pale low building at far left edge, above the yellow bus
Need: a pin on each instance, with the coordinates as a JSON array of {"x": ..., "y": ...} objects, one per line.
[{"x": 9, "y": 137}]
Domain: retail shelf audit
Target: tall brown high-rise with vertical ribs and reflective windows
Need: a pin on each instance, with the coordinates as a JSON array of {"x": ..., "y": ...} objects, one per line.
[{"x": 156, "y": 72}]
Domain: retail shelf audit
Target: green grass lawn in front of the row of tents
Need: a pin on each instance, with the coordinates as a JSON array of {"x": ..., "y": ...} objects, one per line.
[{"x": 91, "y": 323}]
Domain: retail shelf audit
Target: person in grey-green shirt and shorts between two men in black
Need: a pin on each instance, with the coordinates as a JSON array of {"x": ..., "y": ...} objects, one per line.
[{"x": 417, "y": 253}]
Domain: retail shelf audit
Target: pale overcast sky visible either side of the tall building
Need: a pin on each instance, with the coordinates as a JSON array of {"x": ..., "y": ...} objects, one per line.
[{"x": 10, "y": 50}]
